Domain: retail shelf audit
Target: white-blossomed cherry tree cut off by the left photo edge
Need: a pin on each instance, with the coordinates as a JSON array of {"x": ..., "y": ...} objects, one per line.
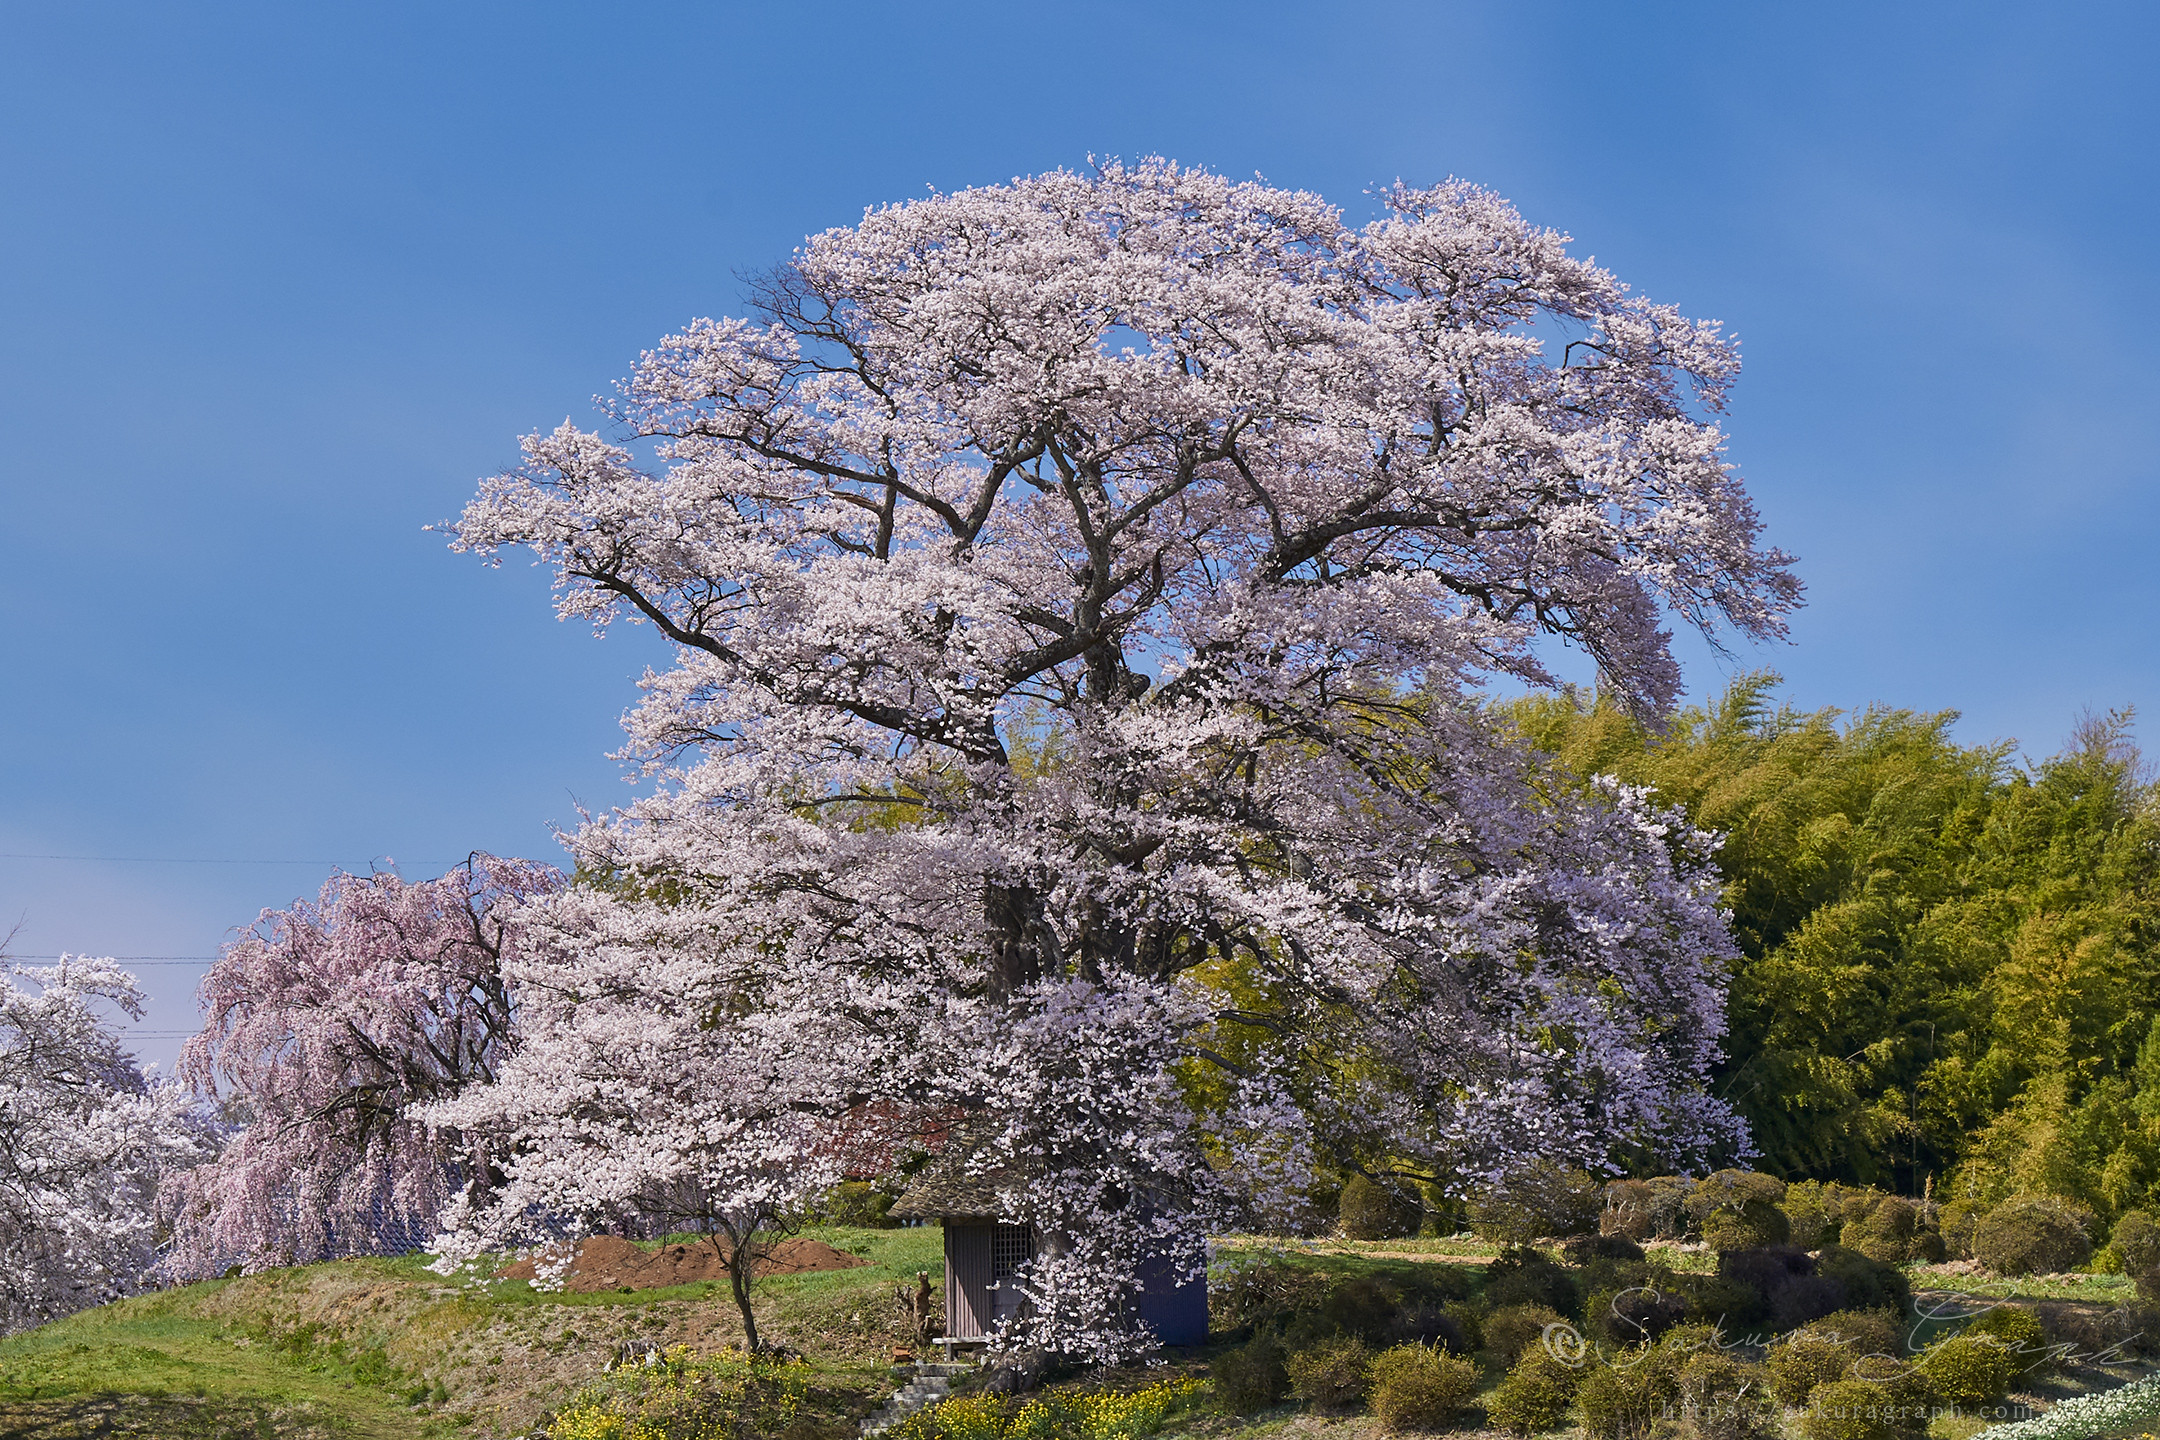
[{"x": 85, "y": 1139}]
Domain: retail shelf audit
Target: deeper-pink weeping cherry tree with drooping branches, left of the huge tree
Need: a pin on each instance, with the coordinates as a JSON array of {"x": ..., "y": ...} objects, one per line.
[{"x": 327, "y": 1024}]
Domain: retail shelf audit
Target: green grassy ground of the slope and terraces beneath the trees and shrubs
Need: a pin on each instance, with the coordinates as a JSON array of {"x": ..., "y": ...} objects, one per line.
[{"x": 388, "y": 1350}]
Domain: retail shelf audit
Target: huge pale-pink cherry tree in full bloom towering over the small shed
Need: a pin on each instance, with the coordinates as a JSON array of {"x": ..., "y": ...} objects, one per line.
[{"x": 1079, "y": 595}]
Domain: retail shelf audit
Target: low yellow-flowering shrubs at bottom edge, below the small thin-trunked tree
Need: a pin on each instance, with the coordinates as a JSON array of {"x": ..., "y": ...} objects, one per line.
[{"x": 686, "y": 1400}]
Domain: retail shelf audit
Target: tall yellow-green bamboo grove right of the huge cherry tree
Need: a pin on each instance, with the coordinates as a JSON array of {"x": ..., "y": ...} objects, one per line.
[{"x": 1947, "y": 960}]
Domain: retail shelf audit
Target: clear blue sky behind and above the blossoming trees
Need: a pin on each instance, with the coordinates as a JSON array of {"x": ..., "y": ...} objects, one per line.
[{"x": 278, "y": 284}]
